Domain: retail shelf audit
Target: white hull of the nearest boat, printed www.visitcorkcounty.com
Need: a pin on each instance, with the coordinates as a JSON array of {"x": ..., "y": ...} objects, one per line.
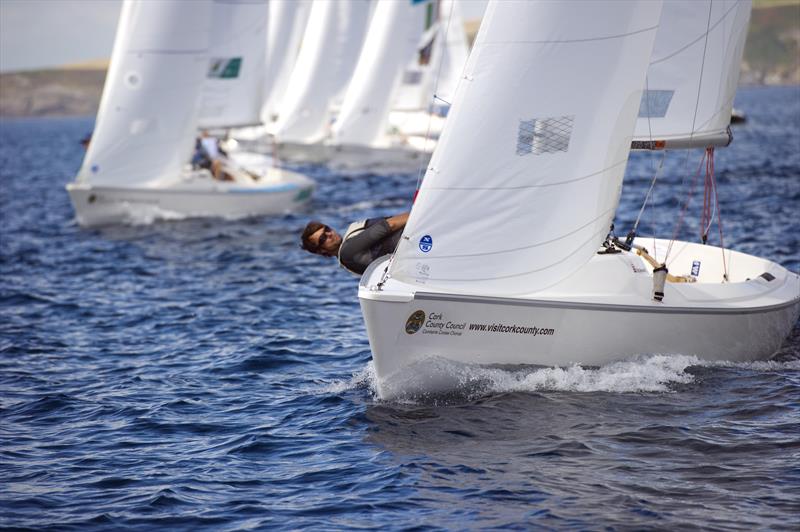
[{"x": 602, "y": 314}]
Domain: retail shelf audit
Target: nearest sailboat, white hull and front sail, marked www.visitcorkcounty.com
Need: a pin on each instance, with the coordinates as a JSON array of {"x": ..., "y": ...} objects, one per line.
[{"x": 506, "y": 257}]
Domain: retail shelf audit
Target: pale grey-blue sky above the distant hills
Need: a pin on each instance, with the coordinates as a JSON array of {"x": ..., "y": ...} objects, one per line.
[{"x": 45, "y": 33}]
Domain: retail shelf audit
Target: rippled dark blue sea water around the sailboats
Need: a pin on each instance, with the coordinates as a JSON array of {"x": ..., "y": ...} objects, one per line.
[{"x": 211, "y": 375}]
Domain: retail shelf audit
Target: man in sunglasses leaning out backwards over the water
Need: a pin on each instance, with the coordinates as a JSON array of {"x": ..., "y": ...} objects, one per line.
[{"x": 363, "y": 242}]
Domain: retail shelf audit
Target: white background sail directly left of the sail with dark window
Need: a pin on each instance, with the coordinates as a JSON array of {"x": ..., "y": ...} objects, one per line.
[{"x": 390, "y": 43}]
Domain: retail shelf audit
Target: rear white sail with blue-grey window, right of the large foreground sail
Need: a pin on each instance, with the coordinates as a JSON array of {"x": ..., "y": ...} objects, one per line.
[{"x": 693, "y": 73}]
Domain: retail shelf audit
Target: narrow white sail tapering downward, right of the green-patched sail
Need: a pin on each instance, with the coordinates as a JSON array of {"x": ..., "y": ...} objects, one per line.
[{"x": 287, "y": 21}]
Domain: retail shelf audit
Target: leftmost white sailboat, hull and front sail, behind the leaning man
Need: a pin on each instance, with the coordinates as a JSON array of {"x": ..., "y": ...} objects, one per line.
[{"x": 136, "y": 166}]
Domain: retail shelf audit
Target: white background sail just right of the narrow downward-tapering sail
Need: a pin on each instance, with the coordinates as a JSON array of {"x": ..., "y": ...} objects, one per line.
[{"x": 328, "y": 55}]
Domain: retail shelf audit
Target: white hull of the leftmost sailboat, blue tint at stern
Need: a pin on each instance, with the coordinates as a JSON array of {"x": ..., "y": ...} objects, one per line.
[{"x": 194, "y": 195}]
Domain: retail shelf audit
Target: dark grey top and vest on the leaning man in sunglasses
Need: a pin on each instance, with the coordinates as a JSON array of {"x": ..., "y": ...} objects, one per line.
[{"x": 366, "y": 241}]
